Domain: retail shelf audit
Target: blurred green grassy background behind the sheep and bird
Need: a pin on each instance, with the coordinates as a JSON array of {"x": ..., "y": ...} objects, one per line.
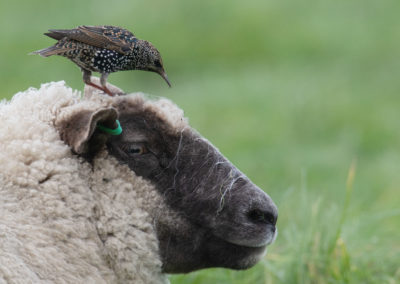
[{"x": 293, "y": 92}]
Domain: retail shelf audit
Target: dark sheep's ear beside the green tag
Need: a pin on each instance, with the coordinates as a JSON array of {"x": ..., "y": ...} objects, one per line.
[{"x": 80, "y": 131}]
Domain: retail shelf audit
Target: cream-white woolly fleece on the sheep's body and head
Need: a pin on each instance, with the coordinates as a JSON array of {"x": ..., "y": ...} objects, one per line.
[{"x": 62, "y": 220}]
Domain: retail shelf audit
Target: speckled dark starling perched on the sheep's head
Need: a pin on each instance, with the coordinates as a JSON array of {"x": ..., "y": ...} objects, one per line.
[{"x": 104, "y": 49}]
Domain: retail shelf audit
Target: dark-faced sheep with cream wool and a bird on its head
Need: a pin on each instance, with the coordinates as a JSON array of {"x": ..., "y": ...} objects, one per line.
[{"x": 79, "y": 205}]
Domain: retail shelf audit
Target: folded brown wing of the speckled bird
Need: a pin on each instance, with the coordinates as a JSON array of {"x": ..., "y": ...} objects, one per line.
[{"x": 114, "y": 38}]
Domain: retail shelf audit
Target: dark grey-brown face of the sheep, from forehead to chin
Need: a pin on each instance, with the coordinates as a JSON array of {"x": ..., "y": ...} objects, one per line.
[{"x": 223, "y": 220}]
